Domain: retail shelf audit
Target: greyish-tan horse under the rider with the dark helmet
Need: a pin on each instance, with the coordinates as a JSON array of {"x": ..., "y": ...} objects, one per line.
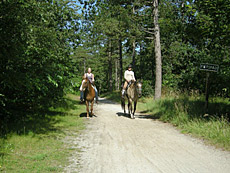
[{"x": 133, "y": 92}]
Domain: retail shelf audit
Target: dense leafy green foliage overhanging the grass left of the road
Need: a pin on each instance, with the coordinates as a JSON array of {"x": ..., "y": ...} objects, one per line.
[{"x": 35, "y": 54}]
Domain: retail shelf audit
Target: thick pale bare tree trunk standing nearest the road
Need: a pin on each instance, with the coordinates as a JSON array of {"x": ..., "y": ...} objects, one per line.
[{"x": 158, "y": 82}]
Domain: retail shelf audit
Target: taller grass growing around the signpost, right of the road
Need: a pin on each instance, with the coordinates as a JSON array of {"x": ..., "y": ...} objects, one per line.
[{"x": 187, "y": 114}]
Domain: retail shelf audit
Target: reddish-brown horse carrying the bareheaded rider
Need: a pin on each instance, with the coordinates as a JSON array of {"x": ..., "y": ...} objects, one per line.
[{"x": 89, "y": 94}]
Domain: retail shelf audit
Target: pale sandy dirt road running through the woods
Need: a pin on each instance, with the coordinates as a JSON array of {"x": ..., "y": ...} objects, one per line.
[{"x": 114, "y": 143}]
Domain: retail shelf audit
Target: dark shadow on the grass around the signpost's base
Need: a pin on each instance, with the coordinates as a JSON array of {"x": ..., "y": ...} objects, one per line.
[{"x": 194, "y": 109}]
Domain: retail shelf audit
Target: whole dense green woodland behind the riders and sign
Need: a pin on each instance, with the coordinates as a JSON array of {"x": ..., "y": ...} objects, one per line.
[{"x": 46, "y": 46}]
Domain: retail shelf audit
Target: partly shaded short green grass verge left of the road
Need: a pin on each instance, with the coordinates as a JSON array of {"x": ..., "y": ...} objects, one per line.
[{"x": 40, "y": 146}]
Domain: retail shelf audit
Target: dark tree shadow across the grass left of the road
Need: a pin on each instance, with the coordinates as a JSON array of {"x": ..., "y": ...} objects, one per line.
[{"x": 39, "y": 121}]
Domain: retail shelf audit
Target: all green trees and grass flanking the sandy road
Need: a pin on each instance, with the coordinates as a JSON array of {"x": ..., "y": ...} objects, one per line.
[{"x": 46, "y": 47}]
